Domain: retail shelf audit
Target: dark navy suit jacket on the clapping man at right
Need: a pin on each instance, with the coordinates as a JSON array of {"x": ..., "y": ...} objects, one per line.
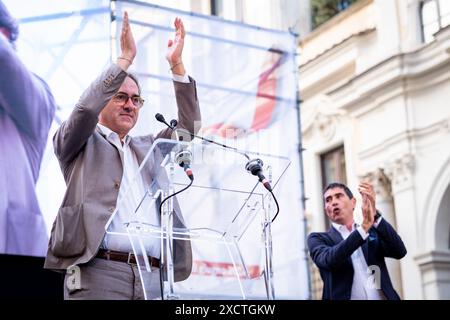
[{"x": 332, "y": 255}]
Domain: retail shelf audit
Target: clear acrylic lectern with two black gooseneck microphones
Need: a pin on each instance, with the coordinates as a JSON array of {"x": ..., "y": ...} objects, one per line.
[{"x": 213, "y": 239}]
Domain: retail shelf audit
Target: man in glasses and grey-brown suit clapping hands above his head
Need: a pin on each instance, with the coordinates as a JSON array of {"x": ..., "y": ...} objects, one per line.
[{"x": 99, "y": 159}]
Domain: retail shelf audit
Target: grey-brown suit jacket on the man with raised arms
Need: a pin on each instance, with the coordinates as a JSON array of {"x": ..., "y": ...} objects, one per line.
[{"x": 93, "y": 171}]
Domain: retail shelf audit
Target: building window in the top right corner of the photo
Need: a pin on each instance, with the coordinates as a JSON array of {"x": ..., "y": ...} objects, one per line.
[{"x": 435, "y": 15}]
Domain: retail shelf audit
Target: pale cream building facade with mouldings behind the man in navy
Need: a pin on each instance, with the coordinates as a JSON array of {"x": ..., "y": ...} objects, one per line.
[{"x": 391, "y": 112}]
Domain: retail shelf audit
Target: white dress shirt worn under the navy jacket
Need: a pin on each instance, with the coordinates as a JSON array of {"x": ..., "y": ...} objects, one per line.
[{"x": 361, "y": 290}]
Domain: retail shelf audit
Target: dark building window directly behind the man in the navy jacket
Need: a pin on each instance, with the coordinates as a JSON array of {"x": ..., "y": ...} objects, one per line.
[{"x": 333, "y": 170}]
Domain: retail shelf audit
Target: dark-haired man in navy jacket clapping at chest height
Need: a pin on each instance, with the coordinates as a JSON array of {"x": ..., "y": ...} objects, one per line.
[{"x": 350, "y": 257}]
